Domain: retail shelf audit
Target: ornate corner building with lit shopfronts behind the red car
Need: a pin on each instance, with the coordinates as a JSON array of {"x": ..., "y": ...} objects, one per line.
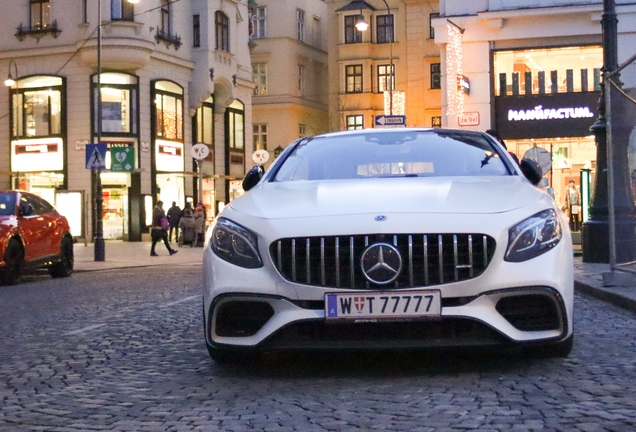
[{"x": 173, "y": 73}]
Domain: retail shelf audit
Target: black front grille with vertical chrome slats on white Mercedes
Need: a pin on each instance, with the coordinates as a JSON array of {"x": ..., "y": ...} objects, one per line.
[{"x": 427, "y": 259}]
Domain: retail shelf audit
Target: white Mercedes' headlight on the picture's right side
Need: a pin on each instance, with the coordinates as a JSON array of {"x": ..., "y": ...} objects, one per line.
[{"x": 533, "y": 236}]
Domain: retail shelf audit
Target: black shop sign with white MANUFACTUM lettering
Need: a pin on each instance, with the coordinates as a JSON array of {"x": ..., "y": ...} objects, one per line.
[{"x": 546, "y": 115}]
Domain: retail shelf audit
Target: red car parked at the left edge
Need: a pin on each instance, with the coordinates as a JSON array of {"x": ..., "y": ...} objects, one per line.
[{"x": 32, "y": 235}]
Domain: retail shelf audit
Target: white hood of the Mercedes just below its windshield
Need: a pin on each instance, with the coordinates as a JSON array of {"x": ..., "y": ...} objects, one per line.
[{"x": 442, "y": 195}]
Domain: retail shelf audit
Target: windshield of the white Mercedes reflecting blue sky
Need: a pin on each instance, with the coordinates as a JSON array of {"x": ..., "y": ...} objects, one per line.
[{"x": 392, "y": 154}]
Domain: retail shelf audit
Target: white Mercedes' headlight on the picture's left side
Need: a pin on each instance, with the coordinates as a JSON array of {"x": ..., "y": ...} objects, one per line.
[{"x": 235, "y": 244}]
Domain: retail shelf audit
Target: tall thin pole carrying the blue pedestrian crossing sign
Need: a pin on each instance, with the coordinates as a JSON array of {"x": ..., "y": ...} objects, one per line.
[{"x": 100, "y": 252}]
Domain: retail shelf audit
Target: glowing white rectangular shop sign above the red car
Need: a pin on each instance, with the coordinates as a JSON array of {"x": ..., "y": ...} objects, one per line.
[{"x": 46, "y": 154}]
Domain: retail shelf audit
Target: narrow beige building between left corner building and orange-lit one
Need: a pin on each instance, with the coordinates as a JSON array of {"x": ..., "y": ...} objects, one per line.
[{"x": 289, "y": 66}]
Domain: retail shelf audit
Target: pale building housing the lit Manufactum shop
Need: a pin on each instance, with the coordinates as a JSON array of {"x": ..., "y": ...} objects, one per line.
[{"x": 530, "y": 70}]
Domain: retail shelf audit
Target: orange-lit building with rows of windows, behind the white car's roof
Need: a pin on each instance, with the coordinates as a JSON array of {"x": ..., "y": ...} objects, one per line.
[{"x": 390, "y": 68}]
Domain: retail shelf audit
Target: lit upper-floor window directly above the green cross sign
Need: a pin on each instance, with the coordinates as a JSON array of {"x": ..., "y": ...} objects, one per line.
[{"x": 119, "y": 103}]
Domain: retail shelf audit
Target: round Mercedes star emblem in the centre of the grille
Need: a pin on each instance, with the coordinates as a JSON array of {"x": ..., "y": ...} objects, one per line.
[{"x": 381, "y": 263}]
